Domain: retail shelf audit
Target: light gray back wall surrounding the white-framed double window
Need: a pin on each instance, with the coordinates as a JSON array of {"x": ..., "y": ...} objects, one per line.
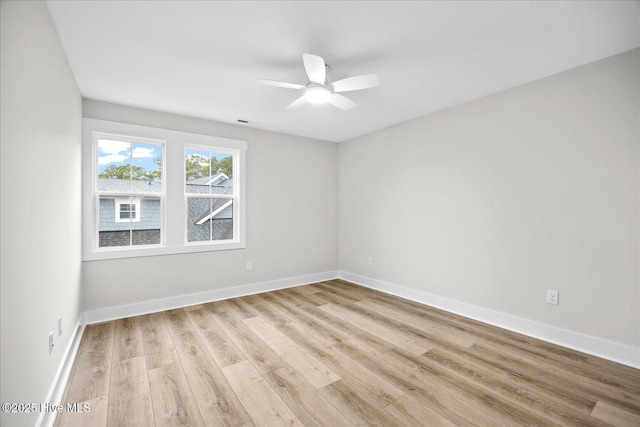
[{"x": 292, "y": 187}]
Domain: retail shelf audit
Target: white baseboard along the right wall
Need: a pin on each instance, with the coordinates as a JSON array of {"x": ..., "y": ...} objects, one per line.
[{"x": 620, "y": 353}]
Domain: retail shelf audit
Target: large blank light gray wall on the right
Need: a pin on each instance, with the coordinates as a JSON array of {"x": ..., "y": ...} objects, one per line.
[{"x": 494, "y": 202}]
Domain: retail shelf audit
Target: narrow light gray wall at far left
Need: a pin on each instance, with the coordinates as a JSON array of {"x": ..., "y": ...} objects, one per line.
[{"x": 40, "y": 113}]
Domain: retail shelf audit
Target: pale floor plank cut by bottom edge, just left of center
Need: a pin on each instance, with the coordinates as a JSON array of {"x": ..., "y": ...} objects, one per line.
[{"x": 264, "y": 405}]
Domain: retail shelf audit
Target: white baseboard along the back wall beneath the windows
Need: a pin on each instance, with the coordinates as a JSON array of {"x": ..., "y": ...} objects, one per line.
[{"x": 153, "y": 306}]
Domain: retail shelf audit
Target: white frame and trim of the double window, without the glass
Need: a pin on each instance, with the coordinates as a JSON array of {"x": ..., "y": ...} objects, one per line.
[{"x": 174, "y": 208}]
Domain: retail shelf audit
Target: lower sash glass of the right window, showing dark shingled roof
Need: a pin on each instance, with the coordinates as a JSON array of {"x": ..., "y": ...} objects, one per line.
[{"x": 209, "y": 219}]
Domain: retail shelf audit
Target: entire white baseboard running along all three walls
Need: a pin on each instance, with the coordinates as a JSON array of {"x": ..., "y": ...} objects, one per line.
[{"x": 619, "y": 353}]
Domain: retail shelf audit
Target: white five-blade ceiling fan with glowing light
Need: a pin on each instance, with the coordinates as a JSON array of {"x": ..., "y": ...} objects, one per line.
[{"x": 319, "y": 91}]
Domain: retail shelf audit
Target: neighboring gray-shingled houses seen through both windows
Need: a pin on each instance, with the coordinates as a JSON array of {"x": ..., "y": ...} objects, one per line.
[{"x": 136, "y": 220}]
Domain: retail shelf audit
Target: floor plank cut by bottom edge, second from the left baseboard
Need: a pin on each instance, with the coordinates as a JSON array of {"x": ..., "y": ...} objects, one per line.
[{"x": 130, "y": 401}]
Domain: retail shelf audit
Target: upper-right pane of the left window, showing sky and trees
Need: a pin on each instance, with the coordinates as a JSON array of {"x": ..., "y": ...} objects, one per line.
[{"x": 146, "y": 166}]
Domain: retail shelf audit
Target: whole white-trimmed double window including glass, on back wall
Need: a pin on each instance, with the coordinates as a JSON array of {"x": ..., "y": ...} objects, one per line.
[{"x": 149, "y": 191}]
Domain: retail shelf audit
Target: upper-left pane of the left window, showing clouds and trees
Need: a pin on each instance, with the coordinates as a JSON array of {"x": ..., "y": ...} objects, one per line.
[{"x": 114, "y": 166}]
